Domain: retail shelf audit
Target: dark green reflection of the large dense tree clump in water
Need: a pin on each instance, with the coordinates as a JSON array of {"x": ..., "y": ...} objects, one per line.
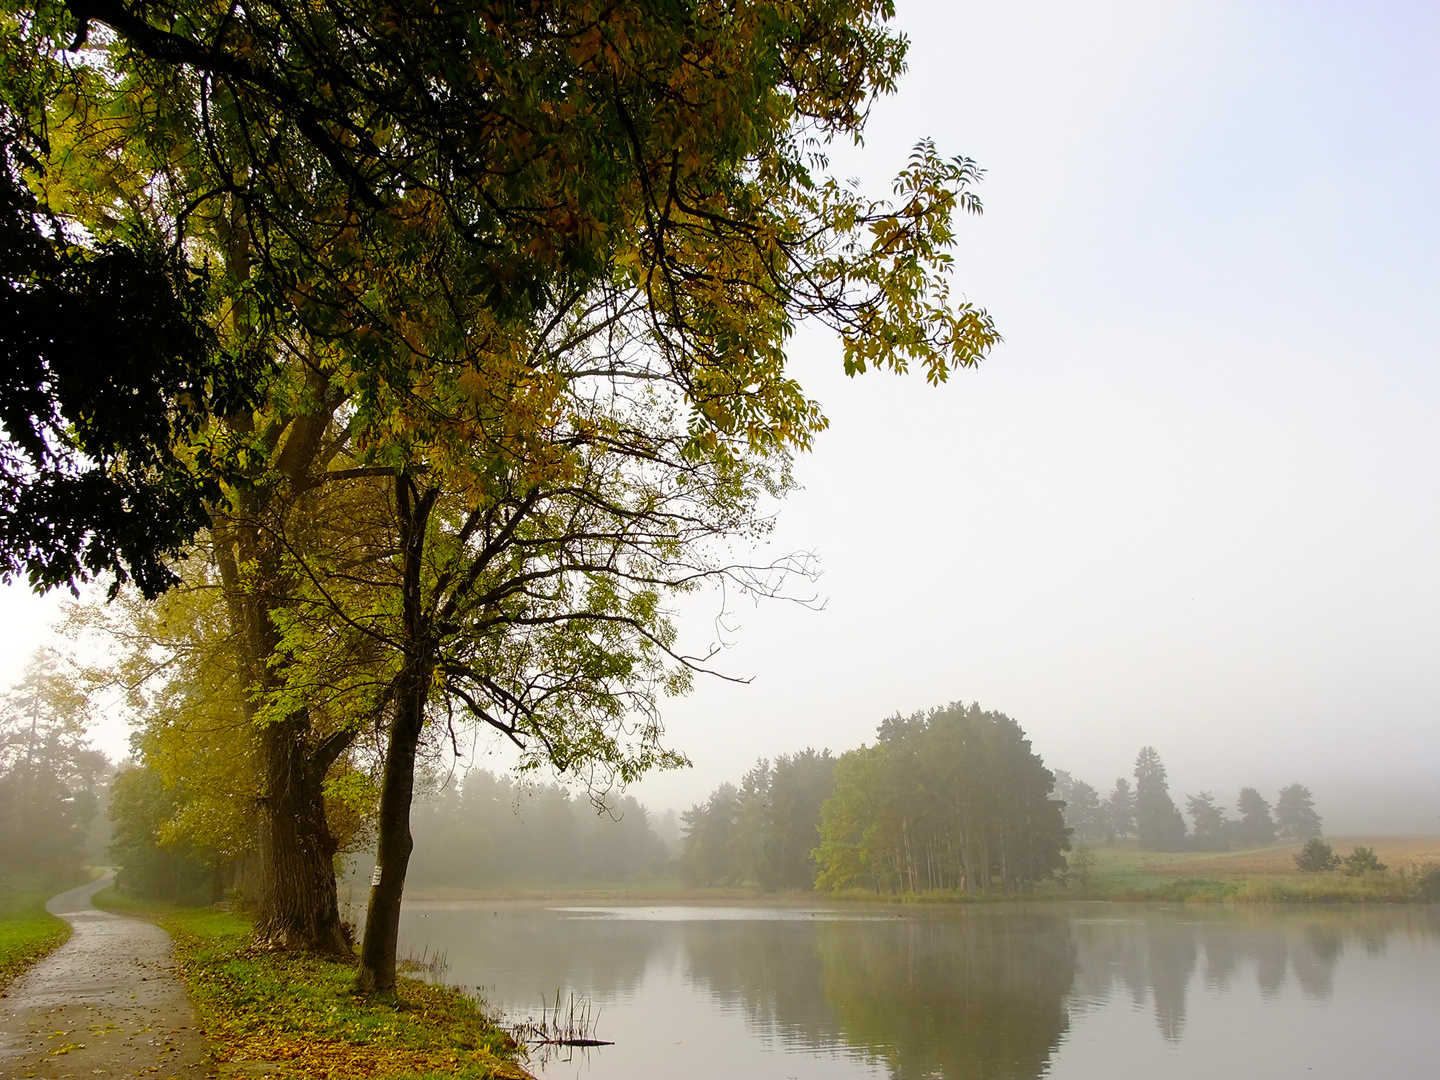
[{"x": 976, "y": 994}]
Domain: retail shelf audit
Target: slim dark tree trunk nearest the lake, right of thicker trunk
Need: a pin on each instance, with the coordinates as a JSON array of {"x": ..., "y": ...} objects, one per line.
[{"x": 382, "y": 928}]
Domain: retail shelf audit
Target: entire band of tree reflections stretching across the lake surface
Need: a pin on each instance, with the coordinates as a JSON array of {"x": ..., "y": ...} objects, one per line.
[{"x": 950, "y": 994}]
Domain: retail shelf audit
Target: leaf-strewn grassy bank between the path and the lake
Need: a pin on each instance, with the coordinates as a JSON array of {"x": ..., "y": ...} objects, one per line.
[{"x": 287, "y": 1016}]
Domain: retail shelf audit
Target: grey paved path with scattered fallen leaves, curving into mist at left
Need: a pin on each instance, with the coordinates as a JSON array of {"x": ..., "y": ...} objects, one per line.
[{"x": 106, "y": 1004}]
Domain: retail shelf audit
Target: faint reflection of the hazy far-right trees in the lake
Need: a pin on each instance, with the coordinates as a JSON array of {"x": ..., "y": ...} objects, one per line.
[{"x": 1153, "y": 954}]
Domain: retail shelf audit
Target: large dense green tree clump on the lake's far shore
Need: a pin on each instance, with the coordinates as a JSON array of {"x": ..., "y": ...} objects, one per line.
[{"x": 948, "y": 800}]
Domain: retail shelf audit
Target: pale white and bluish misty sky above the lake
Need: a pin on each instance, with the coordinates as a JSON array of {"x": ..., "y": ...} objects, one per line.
[{"x": 1194, "y": 498}]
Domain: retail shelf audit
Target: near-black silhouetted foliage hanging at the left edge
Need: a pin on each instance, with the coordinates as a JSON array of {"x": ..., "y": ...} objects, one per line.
[{"x": 107, "y": 368}]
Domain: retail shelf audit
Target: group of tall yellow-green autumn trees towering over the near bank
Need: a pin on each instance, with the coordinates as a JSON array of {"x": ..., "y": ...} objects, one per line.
[{"x": 430, "y": 349}]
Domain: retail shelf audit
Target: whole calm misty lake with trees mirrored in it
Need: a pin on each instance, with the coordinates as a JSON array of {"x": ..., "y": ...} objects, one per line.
[{"x": 987, "y": 991}]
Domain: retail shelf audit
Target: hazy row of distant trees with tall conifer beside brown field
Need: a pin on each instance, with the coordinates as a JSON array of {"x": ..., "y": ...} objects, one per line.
[{"x": 1148, "y": 813}]
